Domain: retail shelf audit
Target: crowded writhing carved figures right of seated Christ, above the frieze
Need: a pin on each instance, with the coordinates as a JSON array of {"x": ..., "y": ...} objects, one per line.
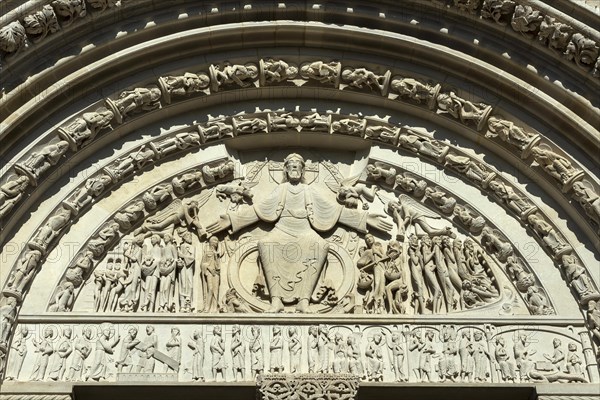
[{"x": 434, "y": 274}]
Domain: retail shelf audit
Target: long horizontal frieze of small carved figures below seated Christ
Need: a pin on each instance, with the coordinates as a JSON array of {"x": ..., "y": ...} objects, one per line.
[{"x": 241, "y": 353}]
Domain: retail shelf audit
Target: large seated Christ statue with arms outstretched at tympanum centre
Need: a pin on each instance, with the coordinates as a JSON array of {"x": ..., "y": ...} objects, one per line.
[{"x": 293, "y": 254}]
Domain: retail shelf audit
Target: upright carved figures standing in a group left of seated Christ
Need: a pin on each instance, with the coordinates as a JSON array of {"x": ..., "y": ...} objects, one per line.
[{"x": 159, "y": 276}]
